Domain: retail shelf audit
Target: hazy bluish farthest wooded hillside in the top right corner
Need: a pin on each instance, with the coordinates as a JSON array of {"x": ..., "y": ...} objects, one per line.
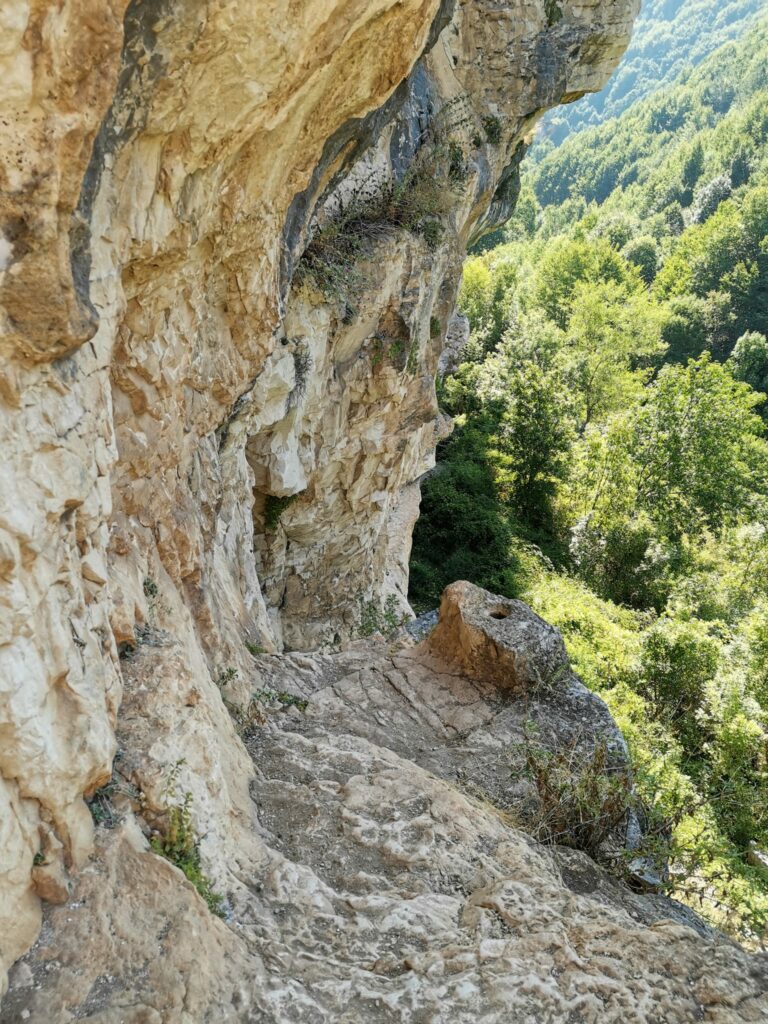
[{"x": 670, "y": 37}]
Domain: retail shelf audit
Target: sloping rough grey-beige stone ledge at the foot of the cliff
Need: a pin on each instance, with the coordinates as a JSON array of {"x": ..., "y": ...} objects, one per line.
[{"x": 373, "y": 869}]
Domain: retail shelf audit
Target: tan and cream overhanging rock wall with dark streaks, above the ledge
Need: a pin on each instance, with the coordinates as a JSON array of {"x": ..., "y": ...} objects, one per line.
[{"x": 165, "y": 379}]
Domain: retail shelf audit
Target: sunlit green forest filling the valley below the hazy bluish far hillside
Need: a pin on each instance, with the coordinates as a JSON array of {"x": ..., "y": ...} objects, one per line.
[{"x": 610, "y": 462}]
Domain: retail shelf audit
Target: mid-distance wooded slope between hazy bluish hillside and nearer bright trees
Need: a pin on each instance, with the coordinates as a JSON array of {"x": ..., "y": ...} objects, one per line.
[{"x": 711, "y": 123}]
